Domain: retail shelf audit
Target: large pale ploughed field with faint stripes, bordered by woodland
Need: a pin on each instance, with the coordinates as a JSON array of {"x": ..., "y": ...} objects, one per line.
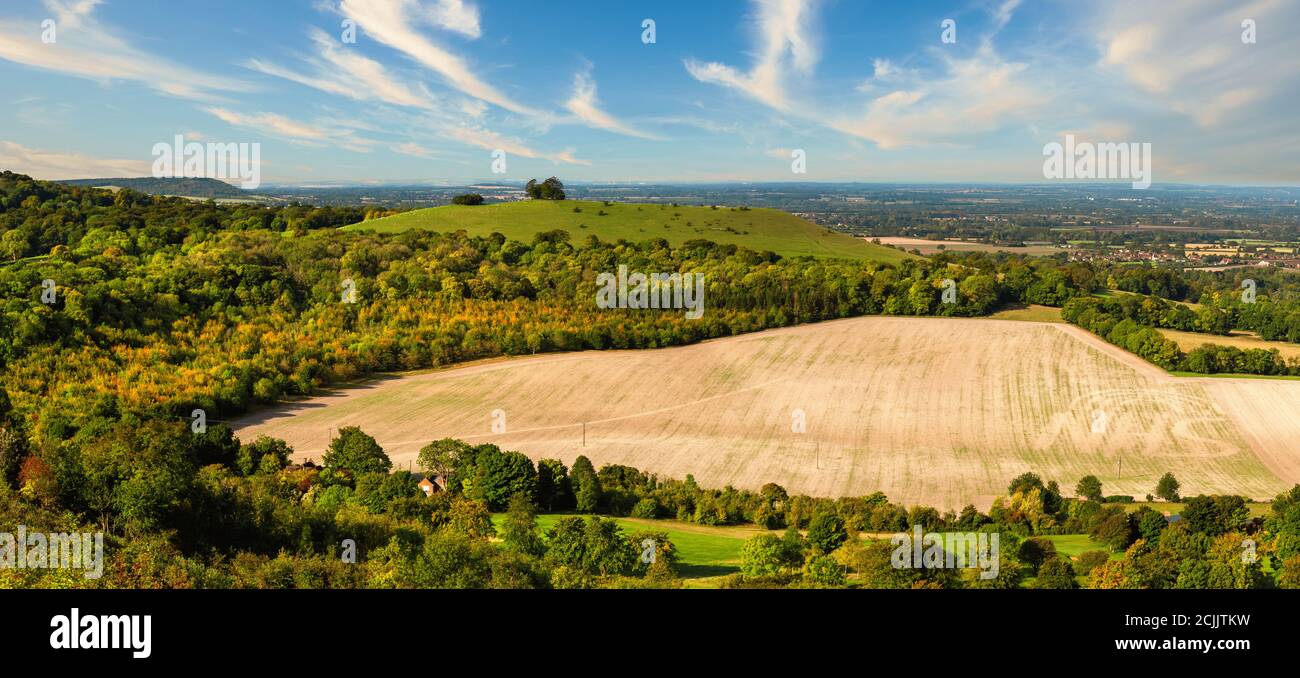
[{"x": 930, "y": 411}]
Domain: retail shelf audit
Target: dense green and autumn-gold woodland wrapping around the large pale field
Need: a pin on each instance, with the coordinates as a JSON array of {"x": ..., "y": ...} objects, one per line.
[{"x": 123, "y": 314}]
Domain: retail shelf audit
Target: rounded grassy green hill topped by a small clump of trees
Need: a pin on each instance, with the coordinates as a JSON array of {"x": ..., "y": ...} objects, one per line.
[{"x": 756, "y": 229}]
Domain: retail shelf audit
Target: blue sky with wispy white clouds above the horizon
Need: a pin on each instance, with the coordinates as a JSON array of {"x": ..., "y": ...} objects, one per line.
[{"x": 868, "y": 90}]
